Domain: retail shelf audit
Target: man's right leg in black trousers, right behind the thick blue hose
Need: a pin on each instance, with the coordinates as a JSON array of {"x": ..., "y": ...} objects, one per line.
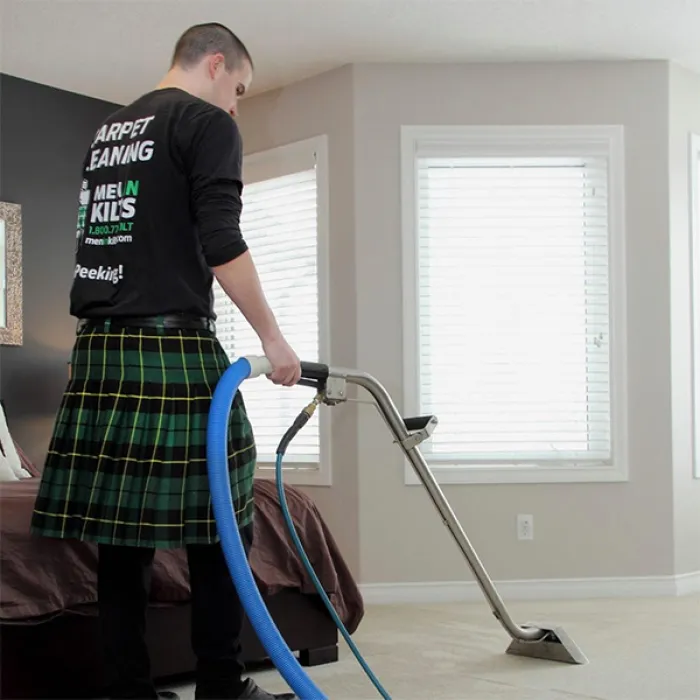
[{"x": 217, "y": 623}]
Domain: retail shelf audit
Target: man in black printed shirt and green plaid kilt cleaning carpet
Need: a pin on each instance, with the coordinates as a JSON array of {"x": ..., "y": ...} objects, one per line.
[{"x": 158, "y": 218}]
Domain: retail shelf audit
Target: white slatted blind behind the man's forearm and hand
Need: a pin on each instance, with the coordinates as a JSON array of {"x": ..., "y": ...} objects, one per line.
[{"x": 279, "y": 223}]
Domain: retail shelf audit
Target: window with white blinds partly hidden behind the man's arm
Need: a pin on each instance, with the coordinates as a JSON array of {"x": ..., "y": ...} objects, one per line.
[{"x": 285, "y": 221}]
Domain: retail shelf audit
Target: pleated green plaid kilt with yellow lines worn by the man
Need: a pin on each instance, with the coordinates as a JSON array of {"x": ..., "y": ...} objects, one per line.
[{"x": 127, "y": 461}]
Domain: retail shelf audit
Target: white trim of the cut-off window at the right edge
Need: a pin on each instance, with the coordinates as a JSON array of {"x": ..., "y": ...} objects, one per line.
[{"x": 694, "y": 218}]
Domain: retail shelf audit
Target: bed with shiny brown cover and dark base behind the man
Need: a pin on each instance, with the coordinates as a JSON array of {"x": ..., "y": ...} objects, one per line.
[{"x": 48, "y": 625}]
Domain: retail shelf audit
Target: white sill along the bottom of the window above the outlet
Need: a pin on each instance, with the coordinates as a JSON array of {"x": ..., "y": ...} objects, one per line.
[{"x": 512, "y": 474}]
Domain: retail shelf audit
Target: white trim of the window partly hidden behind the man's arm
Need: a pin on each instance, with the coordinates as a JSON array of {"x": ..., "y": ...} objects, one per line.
[{"x": 272, "y": 163}]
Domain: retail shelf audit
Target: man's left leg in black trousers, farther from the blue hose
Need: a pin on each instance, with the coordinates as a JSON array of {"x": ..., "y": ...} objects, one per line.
[{"x": 123, "y": 584}]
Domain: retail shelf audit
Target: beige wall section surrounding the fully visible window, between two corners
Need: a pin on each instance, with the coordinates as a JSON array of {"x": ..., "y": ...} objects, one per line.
[{"x": 581, "y": 530}]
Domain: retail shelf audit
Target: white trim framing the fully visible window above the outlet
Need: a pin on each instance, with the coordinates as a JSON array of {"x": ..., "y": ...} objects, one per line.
[{"x": 525, "y": 140}]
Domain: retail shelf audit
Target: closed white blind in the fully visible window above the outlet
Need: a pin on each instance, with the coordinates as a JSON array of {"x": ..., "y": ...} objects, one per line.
[{"x": 513, "y": 298}]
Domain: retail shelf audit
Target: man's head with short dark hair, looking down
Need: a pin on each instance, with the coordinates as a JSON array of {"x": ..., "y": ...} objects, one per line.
[{"x": 214, "y": 64}]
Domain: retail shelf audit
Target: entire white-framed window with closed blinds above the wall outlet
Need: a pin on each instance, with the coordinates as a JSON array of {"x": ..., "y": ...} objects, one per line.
[{"x": 514, "y": 300}]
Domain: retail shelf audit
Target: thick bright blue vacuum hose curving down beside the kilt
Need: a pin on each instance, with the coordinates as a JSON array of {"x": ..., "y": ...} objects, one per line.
[{"x": 232, "y": 545}]
